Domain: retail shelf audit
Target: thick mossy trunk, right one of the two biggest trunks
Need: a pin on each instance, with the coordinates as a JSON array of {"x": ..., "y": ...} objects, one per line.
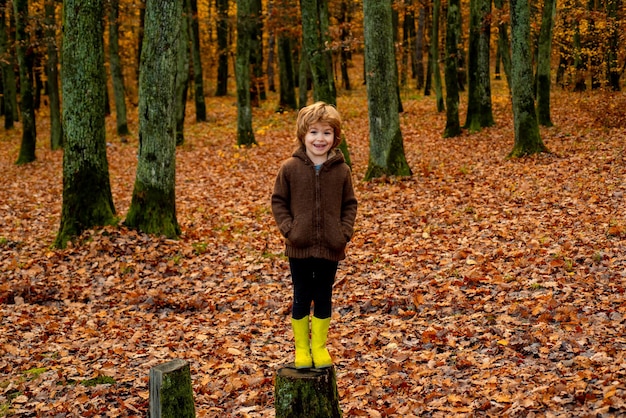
[{"x": 153, "y": 206}]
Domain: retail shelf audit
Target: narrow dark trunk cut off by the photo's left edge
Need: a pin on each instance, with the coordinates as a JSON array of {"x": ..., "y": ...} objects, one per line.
[{"x": 8, "y": 75}]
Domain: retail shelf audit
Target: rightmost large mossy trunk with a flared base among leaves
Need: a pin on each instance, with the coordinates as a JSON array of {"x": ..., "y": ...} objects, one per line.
[{"x": 527, "y": 138}]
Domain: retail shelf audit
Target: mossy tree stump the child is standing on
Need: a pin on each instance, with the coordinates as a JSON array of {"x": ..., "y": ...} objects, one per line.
[{"x": 306, "y": 393}]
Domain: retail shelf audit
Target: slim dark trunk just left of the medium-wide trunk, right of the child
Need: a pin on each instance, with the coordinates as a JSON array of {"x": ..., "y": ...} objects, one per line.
[{"x": 453, "y": 36}]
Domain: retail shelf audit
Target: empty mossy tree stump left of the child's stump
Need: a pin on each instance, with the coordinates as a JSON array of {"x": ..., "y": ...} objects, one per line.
[{"x": 171, "y": 394}]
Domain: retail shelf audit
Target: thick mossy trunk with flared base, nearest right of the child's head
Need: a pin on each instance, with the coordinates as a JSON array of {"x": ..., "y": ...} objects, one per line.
[{"x": 386, "y": 146}]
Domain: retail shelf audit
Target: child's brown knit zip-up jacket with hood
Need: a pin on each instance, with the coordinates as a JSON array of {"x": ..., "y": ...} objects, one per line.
[{"x": 315, "y": 210}]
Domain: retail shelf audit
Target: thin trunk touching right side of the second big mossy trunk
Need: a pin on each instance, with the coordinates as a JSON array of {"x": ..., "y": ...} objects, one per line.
[{"x": 182, "y": 81}]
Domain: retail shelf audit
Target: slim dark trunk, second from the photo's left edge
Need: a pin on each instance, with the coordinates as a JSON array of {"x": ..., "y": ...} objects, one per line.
[{"x": 27, "y": 105}]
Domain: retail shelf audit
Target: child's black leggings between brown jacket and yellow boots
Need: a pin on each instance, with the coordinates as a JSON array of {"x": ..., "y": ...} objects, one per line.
[{"x": 313, "y": 280}]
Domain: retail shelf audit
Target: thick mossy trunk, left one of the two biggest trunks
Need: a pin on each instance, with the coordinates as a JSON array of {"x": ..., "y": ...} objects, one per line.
[{"x": 87, "y": 199}]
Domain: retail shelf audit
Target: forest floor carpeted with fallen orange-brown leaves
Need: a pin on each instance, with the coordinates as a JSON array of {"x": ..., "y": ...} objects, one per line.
[{"x": 480, "y": 286}]
